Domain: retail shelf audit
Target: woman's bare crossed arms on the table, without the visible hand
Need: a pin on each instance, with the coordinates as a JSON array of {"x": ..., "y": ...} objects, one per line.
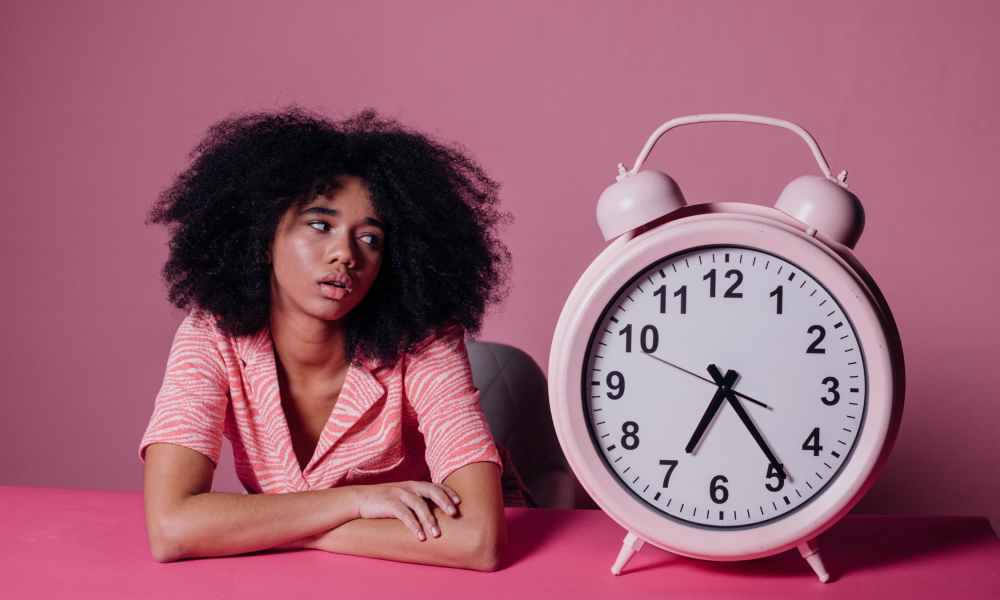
[{"x": 186, "y": 520}]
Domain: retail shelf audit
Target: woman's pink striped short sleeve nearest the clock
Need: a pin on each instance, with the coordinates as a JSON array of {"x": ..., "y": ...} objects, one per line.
[{"x": 438, "y": 383}]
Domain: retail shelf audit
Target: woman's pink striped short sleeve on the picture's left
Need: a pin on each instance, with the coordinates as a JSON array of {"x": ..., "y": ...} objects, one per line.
[{"x": 190, "y": 408}]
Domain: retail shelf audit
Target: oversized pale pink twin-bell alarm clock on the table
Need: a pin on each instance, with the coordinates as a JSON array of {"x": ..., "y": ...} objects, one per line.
[{"x": 726, "y": 379}]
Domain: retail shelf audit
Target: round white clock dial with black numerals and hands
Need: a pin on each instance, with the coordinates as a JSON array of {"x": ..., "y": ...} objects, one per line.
[{"x": 724, "y": 386}]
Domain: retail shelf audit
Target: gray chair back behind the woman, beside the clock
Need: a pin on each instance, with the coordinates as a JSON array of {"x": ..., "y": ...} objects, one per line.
[{"x": 514, "y": 396}]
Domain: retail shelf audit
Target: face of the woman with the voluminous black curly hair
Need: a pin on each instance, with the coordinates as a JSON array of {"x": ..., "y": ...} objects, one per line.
[{"x": 336, "y": 239}]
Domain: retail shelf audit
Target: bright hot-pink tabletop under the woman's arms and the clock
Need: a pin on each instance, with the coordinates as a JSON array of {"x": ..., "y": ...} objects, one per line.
[{"x": 87, "y": 544}]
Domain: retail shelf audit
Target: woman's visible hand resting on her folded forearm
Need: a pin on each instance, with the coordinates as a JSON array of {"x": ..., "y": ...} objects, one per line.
[{"x": 405, "y": 500}]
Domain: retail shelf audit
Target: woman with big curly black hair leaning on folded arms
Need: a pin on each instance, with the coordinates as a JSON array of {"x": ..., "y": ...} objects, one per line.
[{"x": 331, "y": 270}]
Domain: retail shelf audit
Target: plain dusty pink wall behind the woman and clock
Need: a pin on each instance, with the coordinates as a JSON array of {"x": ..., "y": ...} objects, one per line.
[{"x": 101, "y": 101}]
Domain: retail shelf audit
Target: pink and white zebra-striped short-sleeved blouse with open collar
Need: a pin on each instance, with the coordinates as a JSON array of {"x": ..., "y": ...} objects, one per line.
[{"x": 419, "y": 420}]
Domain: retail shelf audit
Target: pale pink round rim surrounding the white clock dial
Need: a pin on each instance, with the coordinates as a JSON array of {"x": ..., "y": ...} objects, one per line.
[{"x": 618, "y": 265}]
